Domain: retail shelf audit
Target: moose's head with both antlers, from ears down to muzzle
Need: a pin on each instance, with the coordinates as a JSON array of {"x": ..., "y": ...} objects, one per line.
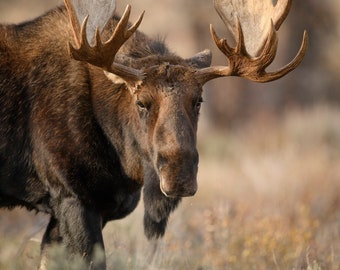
[{"x": 167, "y": 91}]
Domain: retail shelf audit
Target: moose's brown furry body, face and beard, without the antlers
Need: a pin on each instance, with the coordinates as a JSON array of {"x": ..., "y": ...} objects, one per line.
[{"x": 73, "y": 143}]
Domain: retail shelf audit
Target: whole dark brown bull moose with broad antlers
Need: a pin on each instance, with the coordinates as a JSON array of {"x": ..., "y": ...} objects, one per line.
[{"x": 94, "y": 111}]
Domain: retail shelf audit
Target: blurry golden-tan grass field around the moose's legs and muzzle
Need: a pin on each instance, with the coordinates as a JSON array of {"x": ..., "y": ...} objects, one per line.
[{"x": 268, "y": 199}]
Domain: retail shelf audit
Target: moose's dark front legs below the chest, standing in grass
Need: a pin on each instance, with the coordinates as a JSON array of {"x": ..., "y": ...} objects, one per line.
[{"x": 77, "y": 228}]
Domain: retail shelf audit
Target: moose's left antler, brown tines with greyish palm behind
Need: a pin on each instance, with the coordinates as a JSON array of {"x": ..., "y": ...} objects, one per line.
[{"x": 102, "y": 54}]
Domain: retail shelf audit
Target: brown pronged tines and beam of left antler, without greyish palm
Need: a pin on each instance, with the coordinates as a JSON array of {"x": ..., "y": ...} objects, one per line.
[{"x": 102, "y": 54}]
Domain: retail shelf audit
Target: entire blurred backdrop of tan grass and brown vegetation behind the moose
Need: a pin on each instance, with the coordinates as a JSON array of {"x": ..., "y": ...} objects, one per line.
[{"x": 270, "y": 153}]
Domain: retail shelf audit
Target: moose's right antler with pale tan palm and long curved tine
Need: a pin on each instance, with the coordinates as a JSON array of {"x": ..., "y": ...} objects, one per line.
[{"x": 254, "y": 25}]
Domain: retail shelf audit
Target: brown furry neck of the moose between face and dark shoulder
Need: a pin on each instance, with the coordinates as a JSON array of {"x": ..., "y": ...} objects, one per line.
[{"x": 111, "y": 105}]
